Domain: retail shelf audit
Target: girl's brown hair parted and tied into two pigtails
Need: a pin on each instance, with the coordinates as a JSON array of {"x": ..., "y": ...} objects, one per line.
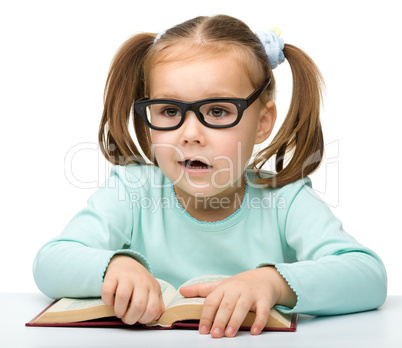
[{"x": 300, "y": 133}]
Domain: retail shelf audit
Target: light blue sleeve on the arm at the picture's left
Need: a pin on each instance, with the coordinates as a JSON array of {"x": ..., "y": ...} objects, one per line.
[{"x": 73, "y": 264}]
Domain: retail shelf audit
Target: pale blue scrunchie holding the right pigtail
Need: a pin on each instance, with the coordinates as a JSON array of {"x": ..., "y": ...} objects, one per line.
[{"x": 273, "y": 45}]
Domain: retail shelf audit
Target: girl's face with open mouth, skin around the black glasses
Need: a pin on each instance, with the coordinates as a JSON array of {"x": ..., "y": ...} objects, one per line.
[{"x": 225, "y": 152}]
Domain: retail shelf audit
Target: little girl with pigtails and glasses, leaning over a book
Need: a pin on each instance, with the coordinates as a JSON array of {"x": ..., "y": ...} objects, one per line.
[{"x": 186, "y": 199}]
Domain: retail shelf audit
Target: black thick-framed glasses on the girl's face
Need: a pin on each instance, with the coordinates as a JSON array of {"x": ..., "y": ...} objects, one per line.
[{"x": 169, "y": 114}]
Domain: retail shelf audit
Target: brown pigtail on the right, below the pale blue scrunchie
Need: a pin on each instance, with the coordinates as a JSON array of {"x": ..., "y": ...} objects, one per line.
[{"x": 300, "y": 133}]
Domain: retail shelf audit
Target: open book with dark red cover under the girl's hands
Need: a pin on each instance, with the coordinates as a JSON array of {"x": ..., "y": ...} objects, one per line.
[{"x": 179, "y": 312}]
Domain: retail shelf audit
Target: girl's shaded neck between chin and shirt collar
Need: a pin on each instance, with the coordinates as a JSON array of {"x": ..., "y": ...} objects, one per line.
[{"x": 214, "y": 208}]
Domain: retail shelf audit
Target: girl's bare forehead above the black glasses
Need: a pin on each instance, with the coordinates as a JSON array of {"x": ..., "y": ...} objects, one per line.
[{"x": 217, "y": 67}]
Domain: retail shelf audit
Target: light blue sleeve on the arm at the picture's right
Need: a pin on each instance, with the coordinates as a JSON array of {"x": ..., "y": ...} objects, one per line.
[{"x": 333, "y": 274}]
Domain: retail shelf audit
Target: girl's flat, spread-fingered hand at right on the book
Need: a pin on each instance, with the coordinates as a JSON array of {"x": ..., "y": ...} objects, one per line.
[{"x": 229, "y": 300}]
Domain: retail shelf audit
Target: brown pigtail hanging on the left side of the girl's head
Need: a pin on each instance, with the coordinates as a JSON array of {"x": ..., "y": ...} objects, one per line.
[{"x": 125, "y": 83}]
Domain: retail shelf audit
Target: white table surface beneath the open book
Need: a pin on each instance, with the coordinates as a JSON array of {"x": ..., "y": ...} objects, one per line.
[{"x": 379, "y": 328}]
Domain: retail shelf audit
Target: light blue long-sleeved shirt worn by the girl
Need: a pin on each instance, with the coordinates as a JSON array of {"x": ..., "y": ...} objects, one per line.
[{"x": 136, "y": 213}]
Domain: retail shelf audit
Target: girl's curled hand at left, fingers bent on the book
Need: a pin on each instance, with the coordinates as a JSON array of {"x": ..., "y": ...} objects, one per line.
[{"x": 133, "y": 292}]
